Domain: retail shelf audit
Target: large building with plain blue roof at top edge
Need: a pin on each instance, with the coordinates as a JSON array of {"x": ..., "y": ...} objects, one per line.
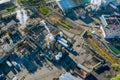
[{"x": 66, "y": 5}]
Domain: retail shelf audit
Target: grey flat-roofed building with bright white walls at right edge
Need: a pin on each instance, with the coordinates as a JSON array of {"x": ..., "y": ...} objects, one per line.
[{"x": 111, "y": 26}]
